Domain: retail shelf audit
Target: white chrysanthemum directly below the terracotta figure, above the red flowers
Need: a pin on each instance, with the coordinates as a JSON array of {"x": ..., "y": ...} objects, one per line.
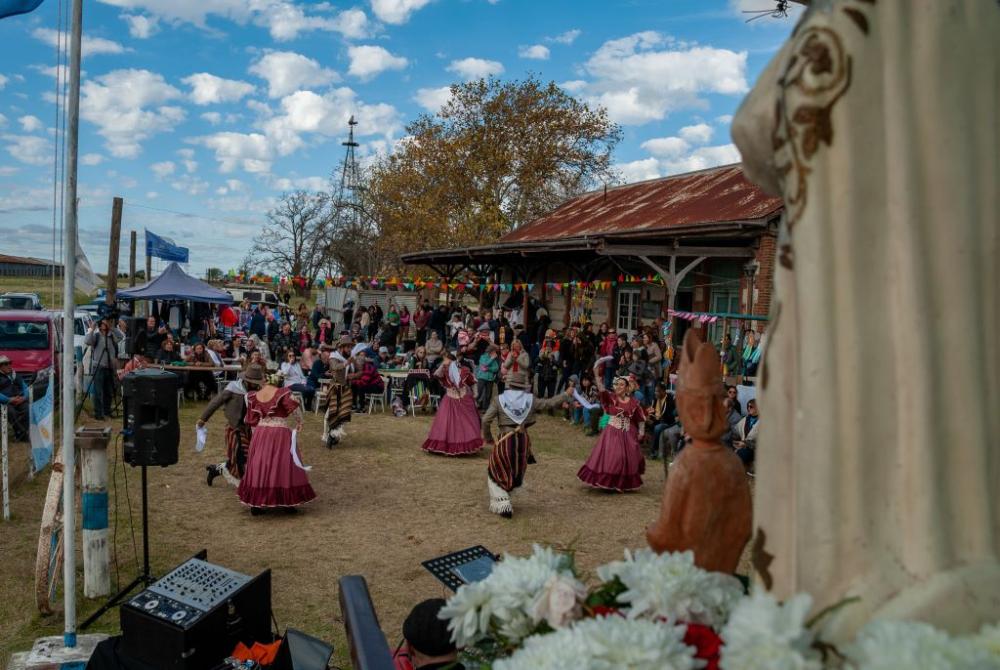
[{"x": 670, "y": 585}]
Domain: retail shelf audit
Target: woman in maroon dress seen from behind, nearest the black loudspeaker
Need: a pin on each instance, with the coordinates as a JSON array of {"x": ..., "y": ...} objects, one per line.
[{"x": 275, "y": 476}]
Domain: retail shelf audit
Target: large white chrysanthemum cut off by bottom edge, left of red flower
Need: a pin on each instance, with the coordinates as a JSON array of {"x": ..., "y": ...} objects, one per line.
[{"x": 611, "y": 643}]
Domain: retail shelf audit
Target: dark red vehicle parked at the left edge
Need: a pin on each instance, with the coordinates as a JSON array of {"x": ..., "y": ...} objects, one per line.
[{"x": 30, "y": 339}]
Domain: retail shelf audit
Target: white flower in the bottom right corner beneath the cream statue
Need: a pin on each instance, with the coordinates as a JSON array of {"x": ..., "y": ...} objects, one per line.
[{"x": 899, "y": 645}]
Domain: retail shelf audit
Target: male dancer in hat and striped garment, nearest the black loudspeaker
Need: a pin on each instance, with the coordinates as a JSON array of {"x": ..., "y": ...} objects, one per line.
[{"x": 233, "y": 401}]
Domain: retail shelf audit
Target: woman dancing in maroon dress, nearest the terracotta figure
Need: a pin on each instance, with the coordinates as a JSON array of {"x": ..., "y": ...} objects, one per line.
[{"x": 616, "y": 462}]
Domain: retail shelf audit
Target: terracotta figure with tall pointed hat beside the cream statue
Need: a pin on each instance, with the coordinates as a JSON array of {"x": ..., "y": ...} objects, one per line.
[{"x": 706, "y": 503}]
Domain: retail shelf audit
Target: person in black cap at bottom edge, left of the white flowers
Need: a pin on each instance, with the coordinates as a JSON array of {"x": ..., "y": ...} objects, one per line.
[{"x": 426, "y": 641}]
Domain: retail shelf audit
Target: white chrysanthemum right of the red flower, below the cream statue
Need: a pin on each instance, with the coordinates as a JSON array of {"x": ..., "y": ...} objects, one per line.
[{"x": 764, "y": 635}]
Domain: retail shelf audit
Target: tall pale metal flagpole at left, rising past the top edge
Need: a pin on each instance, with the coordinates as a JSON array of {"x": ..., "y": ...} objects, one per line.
[{"x": 66, "y": 376}]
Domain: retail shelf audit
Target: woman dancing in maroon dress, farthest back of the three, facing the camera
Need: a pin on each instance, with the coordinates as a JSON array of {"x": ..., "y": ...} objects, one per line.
[{"x": 456, "y": 427}]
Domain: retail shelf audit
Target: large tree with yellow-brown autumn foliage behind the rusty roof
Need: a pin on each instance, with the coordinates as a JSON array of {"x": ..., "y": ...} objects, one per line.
[{"x": 497, "y": 155}]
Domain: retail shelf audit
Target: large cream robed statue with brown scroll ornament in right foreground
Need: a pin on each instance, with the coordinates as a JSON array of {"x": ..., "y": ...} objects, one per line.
[{"x": 879, "y": 469}]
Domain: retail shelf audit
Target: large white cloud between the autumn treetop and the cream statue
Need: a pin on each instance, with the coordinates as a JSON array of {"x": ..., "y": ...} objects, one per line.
[{"x": 645, "y": 76}]
